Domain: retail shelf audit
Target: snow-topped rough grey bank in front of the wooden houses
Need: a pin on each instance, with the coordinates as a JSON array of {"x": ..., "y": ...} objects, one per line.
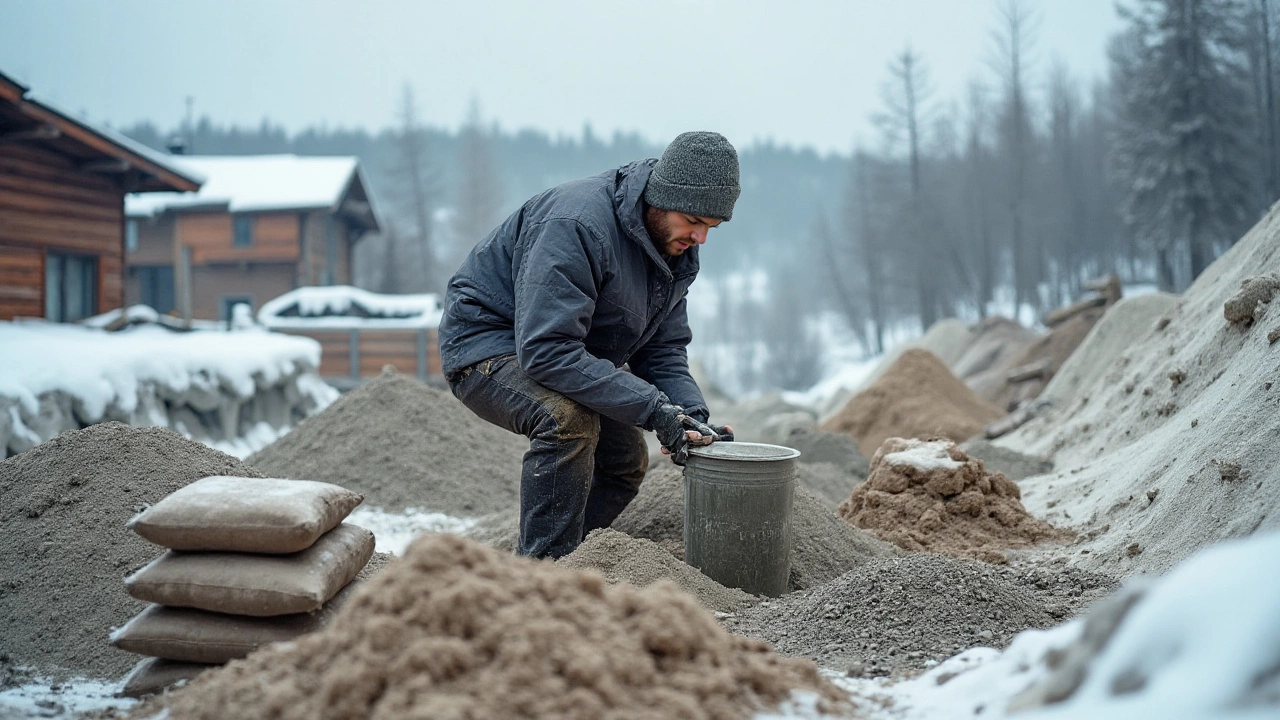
[{"x": 235, "y": 390}]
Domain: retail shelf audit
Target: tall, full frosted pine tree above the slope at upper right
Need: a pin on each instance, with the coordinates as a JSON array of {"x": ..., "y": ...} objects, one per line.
[{"x": 1182, "y": 131}]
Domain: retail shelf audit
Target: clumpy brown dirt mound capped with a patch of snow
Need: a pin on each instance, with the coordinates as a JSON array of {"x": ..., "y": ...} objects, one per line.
[{"x": 931, "y": 496}]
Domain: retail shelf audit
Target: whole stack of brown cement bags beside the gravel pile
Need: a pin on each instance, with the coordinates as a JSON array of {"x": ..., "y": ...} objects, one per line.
[{"x": 250, "y": 562}]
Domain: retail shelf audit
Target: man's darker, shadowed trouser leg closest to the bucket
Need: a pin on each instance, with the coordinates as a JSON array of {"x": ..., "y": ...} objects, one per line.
[{"x": 621, "y": 462}]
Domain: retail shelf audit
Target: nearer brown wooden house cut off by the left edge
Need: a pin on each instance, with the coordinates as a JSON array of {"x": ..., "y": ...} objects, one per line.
[{"x": 62, "y": 208}]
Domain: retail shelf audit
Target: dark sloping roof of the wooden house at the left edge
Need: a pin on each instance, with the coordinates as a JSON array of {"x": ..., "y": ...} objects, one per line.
[{"x": 24, "y": 119}]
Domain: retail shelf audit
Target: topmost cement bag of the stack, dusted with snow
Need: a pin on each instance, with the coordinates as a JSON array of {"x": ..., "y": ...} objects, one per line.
[{"x": 246, "y": 516}]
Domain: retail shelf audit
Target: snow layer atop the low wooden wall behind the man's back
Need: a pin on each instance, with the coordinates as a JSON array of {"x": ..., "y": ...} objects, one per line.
[{"x": 345, "y": 307}]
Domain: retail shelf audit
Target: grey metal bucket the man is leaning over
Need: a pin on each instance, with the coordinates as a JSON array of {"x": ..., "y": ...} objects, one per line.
[{"x": 738, "y": 514}]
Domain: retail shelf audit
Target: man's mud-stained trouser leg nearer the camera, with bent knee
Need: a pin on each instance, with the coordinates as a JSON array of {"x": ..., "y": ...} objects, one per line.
[{"x": 556, "y": 477}]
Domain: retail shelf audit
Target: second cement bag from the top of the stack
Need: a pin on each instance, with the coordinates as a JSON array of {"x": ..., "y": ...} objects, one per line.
[{"x": 257, "y": 585}]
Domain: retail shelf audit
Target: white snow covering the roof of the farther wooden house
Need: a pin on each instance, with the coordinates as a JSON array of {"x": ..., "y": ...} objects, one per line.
[{"x": 253, "y": 184}]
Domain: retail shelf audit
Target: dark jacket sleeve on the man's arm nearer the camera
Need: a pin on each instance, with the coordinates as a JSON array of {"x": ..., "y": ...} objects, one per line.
[{"x": 557, "y": 286}]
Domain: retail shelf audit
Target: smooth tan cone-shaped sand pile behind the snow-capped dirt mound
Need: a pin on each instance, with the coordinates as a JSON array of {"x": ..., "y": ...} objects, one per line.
[{"x": 917, "y": 397}]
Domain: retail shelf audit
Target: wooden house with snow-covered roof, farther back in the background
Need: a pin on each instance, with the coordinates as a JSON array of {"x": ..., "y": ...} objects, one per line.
[{"x": 259, "y": 227}]
